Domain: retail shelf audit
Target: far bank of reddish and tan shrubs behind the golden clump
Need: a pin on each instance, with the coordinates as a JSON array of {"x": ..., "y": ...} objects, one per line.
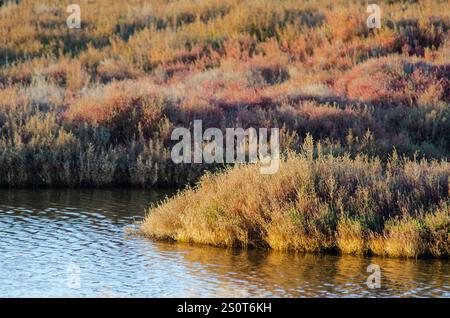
[{"x": 95, "y": 106}]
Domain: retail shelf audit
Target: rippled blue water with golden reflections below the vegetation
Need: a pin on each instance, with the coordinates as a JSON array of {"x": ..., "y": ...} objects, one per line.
[{"x": 74, "y": 243}]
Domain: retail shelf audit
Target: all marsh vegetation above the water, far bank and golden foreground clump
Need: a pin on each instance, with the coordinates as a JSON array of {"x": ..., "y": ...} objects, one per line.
[{"x": 95, "y": 107}]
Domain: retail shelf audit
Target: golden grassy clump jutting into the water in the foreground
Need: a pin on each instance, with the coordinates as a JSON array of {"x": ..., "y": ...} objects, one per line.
[{"x": 316, "y": 202}]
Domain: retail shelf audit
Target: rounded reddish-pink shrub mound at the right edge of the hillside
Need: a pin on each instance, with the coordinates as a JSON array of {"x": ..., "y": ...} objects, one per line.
[{"x": 395, "y": 81}]
